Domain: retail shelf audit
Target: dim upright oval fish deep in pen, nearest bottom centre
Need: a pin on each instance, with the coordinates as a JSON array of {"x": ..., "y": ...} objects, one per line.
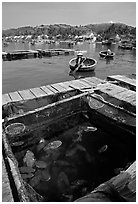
[{"x": 62, "y": 182}]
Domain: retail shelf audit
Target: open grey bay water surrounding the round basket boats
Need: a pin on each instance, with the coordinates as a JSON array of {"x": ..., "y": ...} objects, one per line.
[{"x": 29, "y": 73}]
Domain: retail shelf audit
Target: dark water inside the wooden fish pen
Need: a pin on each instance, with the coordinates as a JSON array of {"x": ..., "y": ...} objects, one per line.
[{"x": 78, "y": 165}]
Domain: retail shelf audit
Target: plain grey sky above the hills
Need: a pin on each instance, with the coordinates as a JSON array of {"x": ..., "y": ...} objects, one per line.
[{"x": 19, "y": 14}]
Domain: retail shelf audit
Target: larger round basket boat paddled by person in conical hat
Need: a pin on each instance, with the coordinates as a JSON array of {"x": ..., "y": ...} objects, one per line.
[{"x": 89, "y": 64}]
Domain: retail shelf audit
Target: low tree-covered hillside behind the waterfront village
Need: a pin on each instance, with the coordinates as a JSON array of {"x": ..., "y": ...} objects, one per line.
[{"x": 105, "y": 30}]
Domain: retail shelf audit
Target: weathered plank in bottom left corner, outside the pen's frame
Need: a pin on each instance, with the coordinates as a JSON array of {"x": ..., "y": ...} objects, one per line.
[{"x": 6, "y": 190}]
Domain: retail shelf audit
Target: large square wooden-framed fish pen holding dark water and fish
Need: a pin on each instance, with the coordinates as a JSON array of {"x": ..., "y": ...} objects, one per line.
[{"x": 45, "y": 129}]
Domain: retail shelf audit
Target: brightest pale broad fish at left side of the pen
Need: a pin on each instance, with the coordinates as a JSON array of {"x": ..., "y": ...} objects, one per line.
[{"x": 29, "y": 158}]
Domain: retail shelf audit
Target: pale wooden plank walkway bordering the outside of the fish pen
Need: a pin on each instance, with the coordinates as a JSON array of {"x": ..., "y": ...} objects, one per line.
[{"x": 122, "y": 94}]
